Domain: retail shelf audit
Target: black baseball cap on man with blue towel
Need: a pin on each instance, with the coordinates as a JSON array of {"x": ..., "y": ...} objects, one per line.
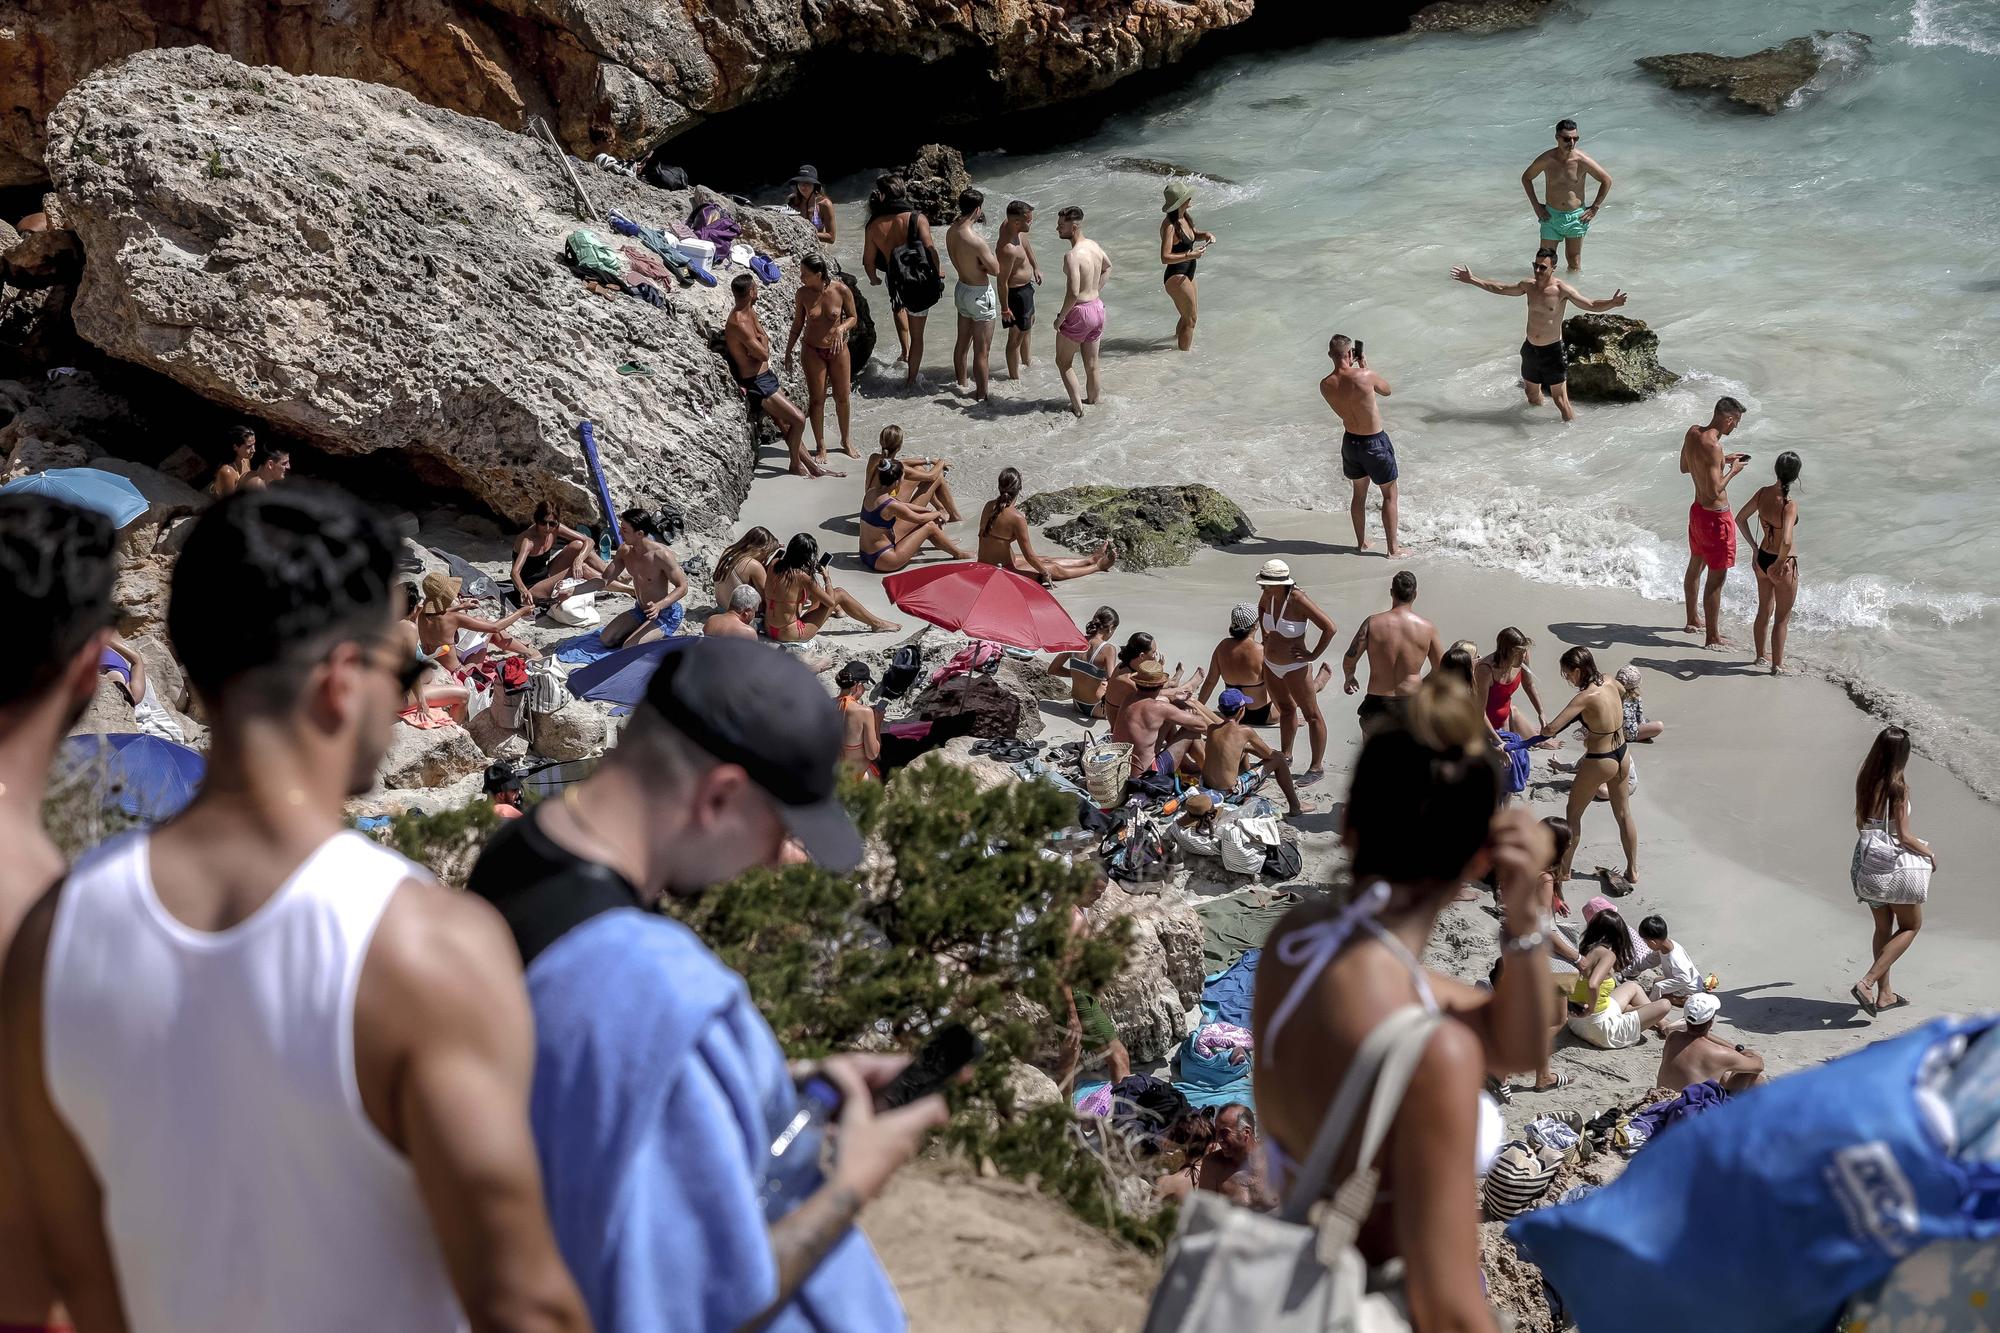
[{"x": 757, "y": 708}]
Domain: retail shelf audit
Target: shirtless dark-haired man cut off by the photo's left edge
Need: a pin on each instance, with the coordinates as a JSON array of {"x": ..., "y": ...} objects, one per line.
[{"x": 57, "y": 571}]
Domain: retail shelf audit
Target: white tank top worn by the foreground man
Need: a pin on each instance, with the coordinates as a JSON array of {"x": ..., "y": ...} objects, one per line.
[{"x": 211, "y": 1082}]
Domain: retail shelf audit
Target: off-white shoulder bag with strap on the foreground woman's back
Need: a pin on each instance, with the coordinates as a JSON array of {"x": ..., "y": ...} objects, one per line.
[{"x": 1231, "y": 1270}]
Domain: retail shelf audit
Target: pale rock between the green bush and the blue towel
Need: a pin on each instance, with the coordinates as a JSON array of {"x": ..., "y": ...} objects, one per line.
[{"x": 1161, "y": 980}]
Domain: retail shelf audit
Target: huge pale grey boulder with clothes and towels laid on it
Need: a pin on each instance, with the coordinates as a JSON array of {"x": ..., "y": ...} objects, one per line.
[{"x": 373, "y": 275}]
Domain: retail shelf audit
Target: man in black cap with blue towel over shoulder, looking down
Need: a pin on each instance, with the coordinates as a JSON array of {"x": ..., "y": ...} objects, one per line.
[{"x": 659, "y": 1090}]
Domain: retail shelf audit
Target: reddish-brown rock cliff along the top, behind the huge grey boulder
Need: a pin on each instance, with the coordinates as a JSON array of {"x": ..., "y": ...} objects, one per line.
[{"x": 609, "y": 75}]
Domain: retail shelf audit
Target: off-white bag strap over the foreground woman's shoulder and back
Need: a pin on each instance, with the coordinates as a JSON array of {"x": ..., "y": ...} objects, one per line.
[{"x": 1379, "y": 1076}]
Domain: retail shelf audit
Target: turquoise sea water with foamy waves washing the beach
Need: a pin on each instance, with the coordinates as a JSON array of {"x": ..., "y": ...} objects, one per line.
[{"x": 1835, "y": 267}]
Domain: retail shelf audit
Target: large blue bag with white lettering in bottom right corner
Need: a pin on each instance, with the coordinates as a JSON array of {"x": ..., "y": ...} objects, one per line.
[{"x": 1771, "y": 1212}]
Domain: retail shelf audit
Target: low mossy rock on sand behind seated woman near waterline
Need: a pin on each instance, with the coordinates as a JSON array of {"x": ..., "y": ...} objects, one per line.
[{"x": 1151, "y": 525}]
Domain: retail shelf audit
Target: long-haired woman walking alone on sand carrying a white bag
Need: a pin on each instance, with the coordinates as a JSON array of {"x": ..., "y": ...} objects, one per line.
[{"x": 1891, "y": 866}]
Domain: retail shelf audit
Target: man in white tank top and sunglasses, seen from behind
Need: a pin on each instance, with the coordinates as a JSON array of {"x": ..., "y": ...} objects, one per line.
[{"x": 271, "y": 1076}]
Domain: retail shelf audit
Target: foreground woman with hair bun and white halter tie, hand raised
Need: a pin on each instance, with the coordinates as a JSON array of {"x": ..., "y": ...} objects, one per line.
[{"x": 1423, "y": 818}]
